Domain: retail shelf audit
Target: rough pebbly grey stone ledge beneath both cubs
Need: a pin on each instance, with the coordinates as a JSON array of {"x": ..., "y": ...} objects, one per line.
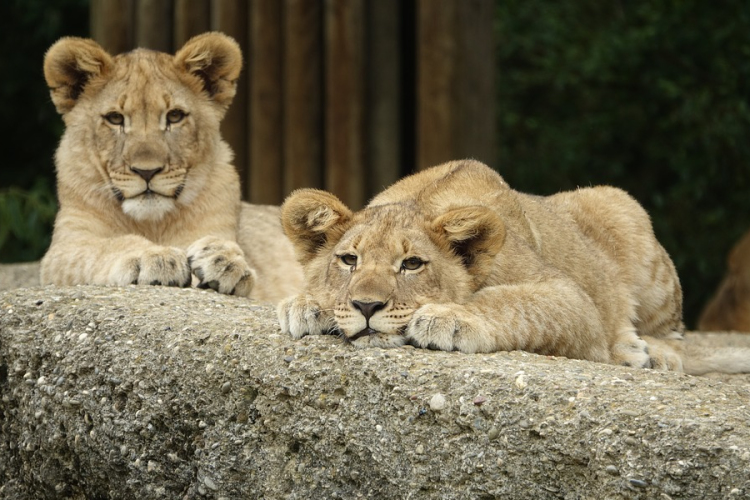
[{"x": 151, "y": 392}]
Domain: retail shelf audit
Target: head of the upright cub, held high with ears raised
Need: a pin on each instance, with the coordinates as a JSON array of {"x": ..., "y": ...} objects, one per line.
[{"x": 139, "y": 124}]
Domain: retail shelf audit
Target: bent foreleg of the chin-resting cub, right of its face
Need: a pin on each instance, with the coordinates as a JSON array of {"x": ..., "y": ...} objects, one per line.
[{"x": 554, "y": 317}]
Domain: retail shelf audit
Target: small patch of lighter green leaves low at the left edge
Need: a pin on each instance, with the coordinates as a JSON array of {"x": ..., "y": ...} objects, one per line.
[{"x": 26, "y": 218}]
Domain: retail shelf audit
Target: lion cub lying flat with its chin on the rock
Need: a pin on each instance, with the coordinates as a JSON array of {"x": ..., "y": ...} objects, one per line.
[{"x": 452, "y": 258}]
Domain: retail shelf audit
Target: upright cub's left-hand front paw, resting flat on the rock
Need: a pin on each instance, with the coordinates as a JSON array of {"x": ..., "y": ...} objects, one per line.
[{"x": 161, "y": 266}]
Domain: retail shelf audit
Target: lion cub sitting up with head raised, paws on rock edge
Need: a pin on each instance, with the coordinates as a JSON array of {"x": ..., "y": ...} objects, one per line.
[{"x": 146, "y": 188}]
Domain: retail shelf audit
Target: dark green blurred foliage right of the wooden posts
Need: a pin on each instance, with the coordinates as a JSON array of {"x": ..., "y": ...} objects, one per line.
[{"x": 653, "y": 97}]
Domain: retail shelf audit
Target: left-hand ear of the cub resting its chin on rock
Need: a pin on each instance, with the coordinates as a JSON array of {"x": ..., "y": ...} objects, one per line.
[{"x": 313, "y": 219}]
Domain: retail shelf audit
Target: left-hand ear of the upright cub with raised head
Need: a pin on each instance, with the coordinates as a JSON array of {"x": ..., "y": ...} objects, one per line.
[{"x": 69, "y": 66}]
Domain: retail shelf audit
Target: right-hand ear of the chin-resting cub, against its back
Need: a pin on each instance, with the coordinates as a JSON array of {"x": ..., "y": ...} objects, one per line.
[{"x": 475, "y": 234}]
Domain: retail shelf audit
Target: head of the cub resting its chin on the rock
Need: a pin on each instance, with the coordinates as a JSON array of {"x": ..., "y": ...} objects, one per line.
[{"x": 376, "y": 267}]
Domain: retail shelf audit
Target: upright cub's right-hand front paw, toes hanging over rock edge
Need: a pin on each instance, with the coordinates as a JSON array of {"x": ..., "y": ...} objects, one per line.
[{"x": 221, "y": 265}]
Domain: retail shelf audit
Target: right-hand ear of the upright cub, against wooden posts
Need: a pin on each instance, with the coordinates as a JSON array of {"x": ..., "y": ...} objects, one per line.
[{"x": 216, "y": 60}]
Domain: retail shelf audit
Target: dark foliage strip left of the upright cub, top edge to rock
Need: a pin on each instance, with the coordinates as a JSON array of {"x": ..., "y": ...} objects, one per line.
[{"x": 30, "y": 128}]
